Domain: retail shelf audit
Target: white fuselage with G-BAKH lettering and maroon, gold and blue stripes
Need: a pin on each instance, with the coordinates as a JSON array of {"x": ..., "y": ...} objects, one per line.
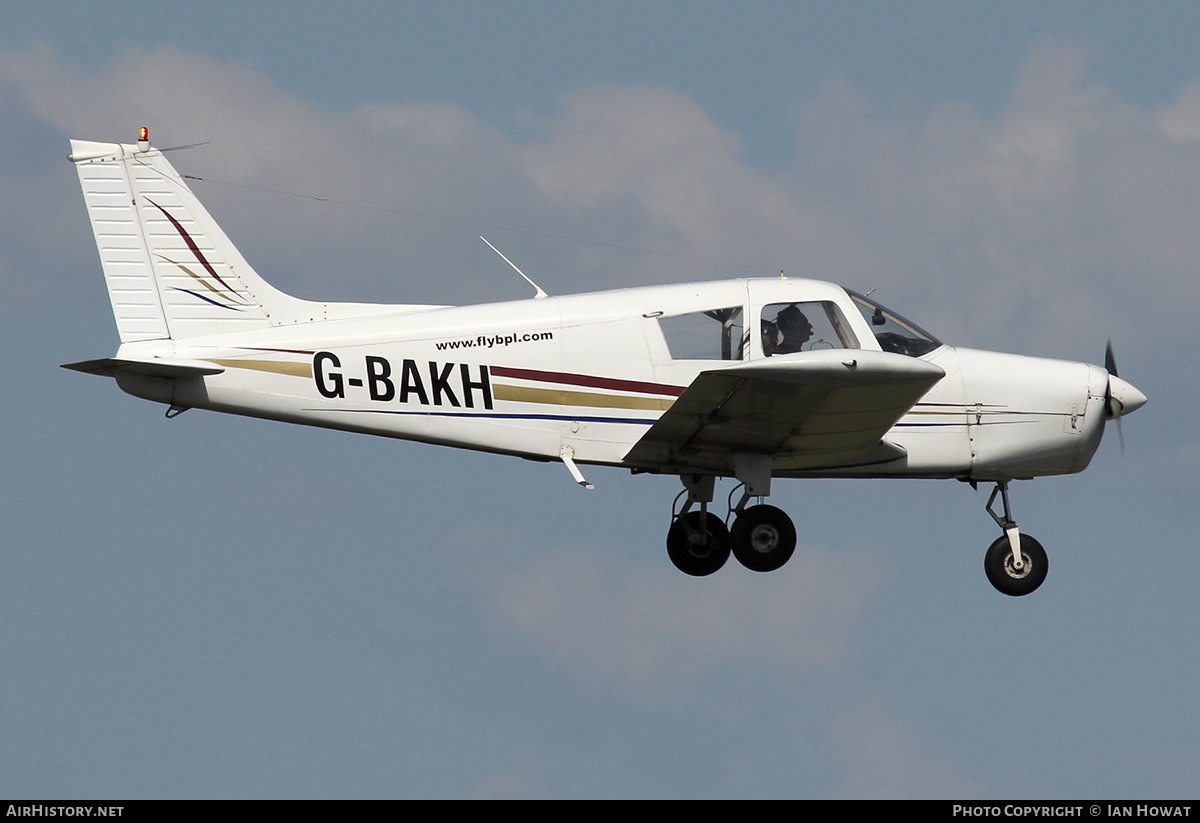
[{"x": 595, "y": 371}]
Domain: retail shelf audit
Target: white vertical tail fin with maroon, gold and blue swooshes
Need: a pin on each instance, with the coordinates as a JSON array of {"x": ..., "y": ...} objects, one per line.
[{"x": 171, "y": 271}]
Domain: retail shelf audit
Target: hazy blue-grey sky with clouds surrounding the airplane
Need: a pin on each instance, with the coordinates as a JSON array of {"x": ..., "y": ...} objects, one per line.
[{"x": 223, "y": 608}]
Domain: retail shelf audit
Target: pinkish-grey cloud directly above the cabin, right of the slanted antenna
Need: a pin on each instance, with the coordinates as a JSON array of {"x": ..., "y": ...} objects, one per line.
[{"x": 659, "y": 155}]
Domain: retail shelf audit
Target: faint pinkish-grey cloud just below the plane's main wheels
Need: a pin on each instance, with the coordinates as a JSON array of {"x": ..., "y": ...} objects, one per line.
[{"x": 657, "y": 634}]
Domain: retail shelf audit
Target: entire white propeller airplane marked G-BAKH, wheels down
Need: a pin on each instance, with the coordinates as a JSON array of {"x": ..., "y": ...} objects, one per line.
[{"x": 754, "y": 380}]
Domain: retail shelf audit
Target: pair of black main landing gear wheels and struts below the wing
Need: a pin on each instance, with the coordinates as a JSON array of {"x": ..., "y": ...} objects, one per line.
[{"x": 763, "y": 538}]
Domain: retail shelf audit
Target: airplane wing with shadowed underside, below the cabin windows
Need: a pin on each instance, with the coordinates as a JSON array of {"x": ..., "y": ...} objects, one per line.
[{"x": 809, "y": 411}]
